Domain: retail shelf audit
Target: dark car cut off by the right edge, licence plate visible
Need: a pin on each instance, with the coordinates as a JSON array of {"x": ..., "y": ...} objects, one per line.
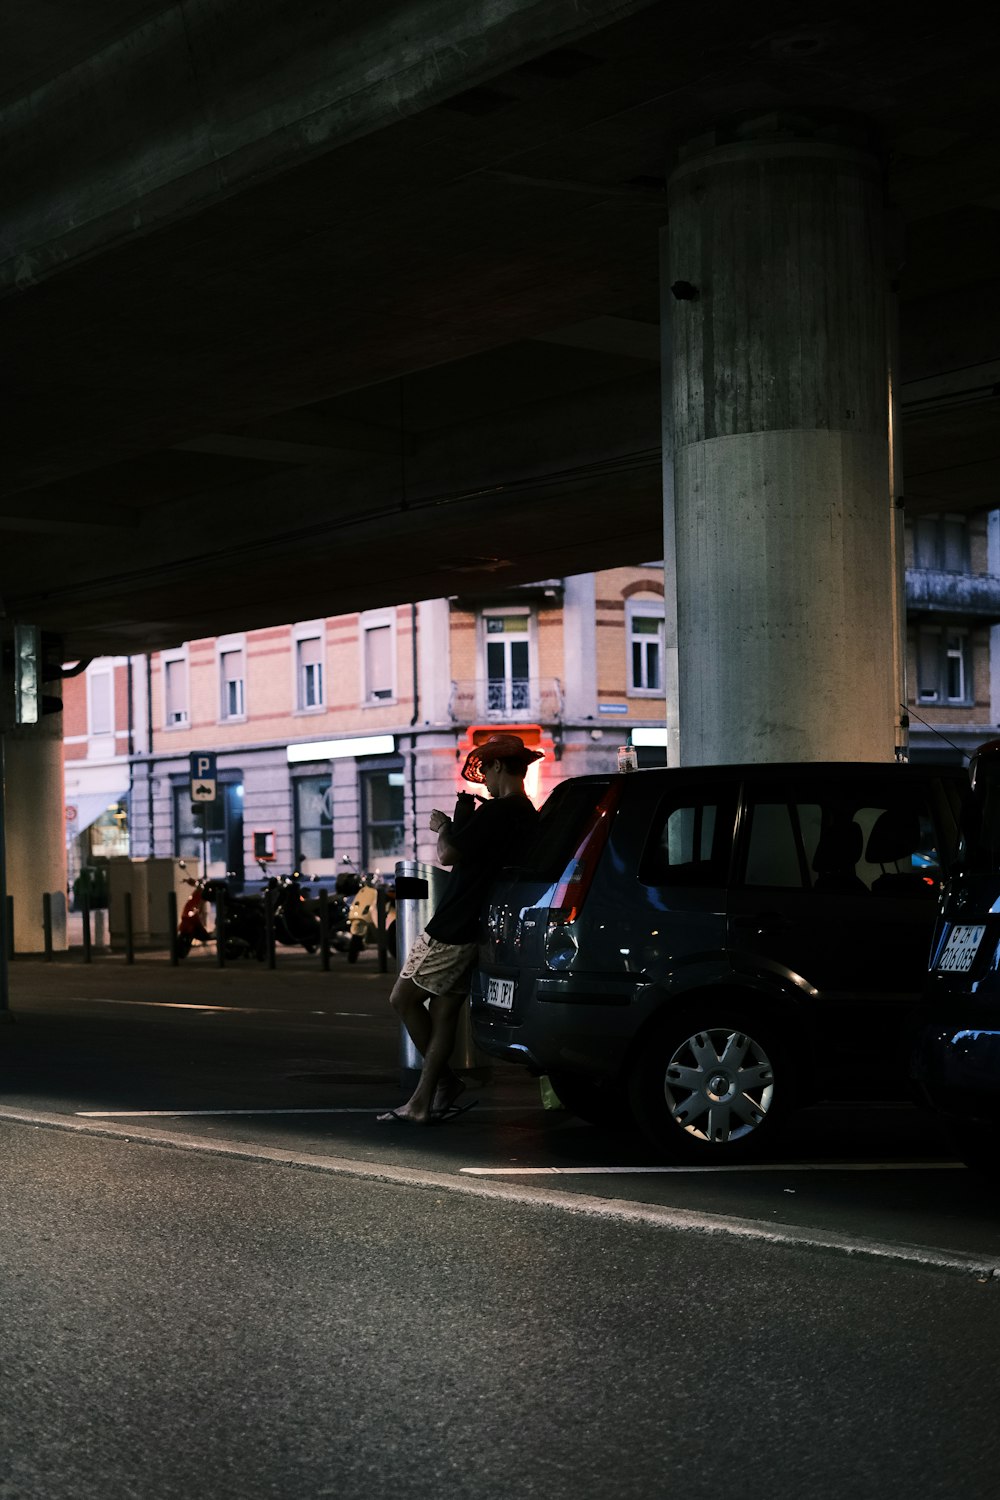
[{"x": 957, "y": 1054}]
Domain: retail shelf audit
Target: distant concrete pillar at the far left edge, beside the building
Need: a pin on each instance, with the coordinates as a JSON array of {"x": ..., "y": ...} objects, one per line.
[{"x": 35, "y": 832}]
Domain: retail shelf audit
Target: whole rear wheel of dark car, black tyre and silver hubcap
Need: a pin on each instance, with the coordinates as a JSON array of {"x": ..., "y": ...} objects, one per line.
[{"x": 708, "y": 1093}]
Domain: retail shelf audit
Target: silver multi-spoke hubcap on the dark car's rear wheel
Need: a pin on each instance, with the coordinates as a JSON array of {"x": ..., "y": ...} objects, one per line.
[{"x": 719, "y": 1085}]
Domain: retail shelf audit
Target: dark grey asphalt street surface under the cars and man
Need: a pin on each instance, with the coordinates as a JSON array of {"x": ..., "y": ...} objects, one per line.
[{"x": 220, "y": 1276}]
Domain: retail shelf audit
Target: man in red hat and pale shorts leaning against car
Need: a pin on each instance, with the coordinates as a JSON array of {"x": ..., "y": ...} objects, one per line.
[{"x": 434, "y": 982}]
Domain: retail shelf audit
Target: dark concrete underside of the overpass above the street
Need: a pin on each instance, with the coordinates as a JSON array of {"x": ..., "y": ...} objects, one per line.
[{"x": 314, "y": 310}]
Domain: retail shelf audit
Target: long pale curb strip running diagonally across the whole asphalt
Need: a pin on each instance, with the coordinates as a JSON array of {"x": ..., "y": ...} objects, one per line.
[{"x": 651, "y": 1216}]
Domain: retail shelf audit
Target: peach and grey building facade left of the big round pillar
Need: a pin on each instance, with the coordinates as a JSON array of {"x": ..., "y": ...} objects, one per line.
[{"x": 335, "y": 739}]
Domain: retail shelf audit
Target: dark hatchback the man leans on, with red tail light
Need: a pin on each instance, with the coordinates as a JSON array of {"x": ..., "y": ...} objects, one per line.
[{"x": 696, "y": 950}]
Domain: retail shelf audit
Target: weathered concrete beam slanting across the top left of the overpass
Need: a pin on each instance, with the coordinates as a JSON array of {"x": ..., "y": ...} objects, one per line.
[{"x": 214, "y": 95}]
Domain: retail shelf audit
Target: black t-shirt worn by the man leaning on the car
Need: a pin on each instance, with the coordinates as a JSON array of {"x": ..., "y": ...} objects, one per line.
[{"x": 494, "y": 836}]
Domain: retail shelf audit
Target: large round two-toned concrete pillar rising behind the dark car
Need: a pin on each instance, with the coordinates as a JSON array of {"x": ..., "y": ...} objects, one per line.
[{"x": 780, "y": 452}]
